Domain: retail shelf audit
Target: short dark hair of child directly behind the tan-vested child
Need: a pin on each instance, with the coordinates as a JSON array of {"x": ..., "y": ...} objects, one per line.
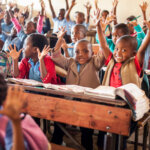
[{"x": 123, "y": 28}]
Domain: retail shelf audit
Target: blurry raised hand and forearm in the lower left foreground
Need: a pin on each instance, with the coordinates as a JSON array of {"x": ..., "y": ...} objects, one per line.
[{"x": 12, "y": 109}]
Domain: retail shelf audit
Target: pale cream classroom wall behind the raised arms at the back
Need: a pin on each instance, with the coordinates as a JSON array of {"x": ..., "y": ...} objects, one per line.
[{"x": 125, "y": 7}]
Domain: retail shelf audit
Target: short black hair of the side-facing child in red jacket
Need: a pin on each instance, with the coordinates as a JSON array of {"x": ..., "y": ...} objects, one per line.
[{"x": 38, "y": 40}]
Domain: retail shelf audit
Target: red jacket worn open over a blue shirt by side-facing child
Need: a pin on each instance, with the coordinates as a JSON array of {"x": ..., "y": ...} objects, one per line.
[{"x": 51, "y": 77}]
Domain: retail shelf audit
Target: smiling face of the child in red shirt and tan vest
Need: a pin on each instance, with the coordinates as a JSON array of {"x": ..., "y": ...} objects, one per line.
[{"x": 122, "y": 52}]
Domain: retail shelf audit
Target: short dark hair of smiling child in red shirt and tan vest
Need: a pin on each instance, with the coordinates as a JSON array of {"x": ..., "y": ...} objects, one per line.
[{"x": 129, "y": 40}]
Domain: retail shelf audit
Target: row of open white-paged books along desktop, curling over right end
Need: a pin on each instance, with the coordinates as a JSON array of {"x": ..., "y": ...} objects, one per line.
[{"x": 134, "y": 96}]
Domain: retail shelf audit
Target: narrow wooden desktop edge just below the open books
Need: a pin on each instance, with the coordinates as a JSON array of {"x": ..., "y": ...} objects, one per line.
[{"x": 81, "y": 96}]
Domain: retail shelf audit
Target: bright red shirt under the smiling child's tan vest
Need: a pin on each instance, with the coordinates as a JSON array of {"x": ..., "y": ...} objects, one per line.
[{"x": 115, "y": 78}]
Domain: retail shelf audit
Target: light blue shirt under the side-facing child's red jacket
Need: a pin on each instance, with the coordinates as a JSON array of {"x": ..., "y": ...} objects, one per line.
[{"x": 34, "y": 72}]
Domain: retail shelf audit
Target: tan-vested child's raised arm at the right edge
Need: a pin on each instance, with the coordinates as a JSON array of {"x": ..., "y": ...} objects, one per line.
[{"x": 142, "y": 49}]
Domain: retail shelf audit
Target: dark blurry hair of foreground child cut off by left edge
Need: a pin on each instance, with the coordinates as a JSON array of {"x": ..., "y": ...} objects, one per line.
[{"x": 3, "y": 89}]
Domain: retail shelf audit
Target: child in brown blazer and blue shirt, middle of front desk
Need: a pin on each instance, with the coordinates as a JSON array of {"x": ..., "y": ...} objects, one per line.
[{"x": 82, "y": 70}]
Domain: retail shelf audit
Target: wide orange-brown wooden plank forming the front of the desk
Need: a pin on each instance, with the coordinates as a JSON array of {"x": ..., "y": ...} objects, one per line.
[{"x": 89, "y": 115}]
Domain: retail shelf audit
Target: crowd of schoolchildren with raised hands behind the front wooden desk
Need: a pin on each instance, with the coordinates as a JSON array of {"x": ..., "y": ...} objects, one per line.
[{"x": 122, "y": 51}]
